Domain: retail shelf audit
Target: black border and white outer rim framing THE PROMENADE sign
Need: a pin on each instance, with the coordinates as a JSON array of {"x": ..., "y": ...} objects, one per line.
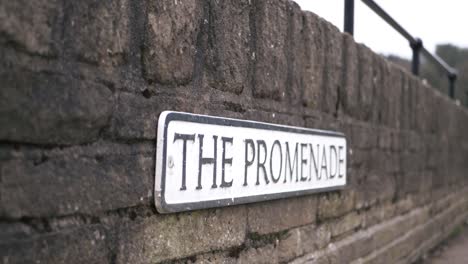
[{"x": 161, "y": 149}]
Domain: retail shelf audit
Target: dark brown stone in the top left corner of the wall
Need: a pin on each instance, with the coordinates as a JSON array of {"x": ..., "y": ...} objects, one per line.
[{"x": 29, "y": 25}]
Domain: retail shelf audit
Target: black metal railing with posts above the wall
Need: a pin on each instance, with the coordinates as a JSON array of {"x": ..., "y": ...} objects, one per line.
[{"x": 416, "y": 44}]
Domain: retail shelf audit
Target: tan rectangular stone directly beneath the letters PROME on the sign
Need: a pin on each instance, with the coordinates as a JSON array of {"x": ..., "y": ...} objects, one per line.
[{"x": 278, "y": 215}]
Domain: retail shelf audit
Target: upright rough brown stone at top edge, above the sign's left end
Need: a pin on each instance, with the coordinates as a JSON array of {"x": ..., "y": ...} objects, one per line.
[{"x": 170, "y": 47}]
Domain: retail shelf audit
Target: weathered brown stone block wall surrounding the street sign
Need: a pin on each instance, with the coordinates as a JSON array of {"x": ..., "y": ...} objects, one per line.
[{"x": 83, "y": 83}]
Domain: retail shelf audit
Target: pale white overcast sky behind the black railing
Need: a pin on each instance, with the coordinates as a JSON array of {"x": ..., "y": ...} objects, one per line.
[{"x": 433, "y": 21}]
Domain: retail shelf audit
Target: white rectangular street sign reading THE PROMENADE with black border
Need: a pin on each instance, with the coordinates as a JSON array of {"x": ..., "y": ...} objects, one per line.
[{"x": 205, "y": 161}]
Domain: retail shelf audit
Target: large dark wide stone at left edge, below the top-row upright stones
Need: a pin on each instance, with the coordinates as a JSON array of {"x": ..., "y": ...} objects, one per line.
[{"x": 45, "y": 108}]
